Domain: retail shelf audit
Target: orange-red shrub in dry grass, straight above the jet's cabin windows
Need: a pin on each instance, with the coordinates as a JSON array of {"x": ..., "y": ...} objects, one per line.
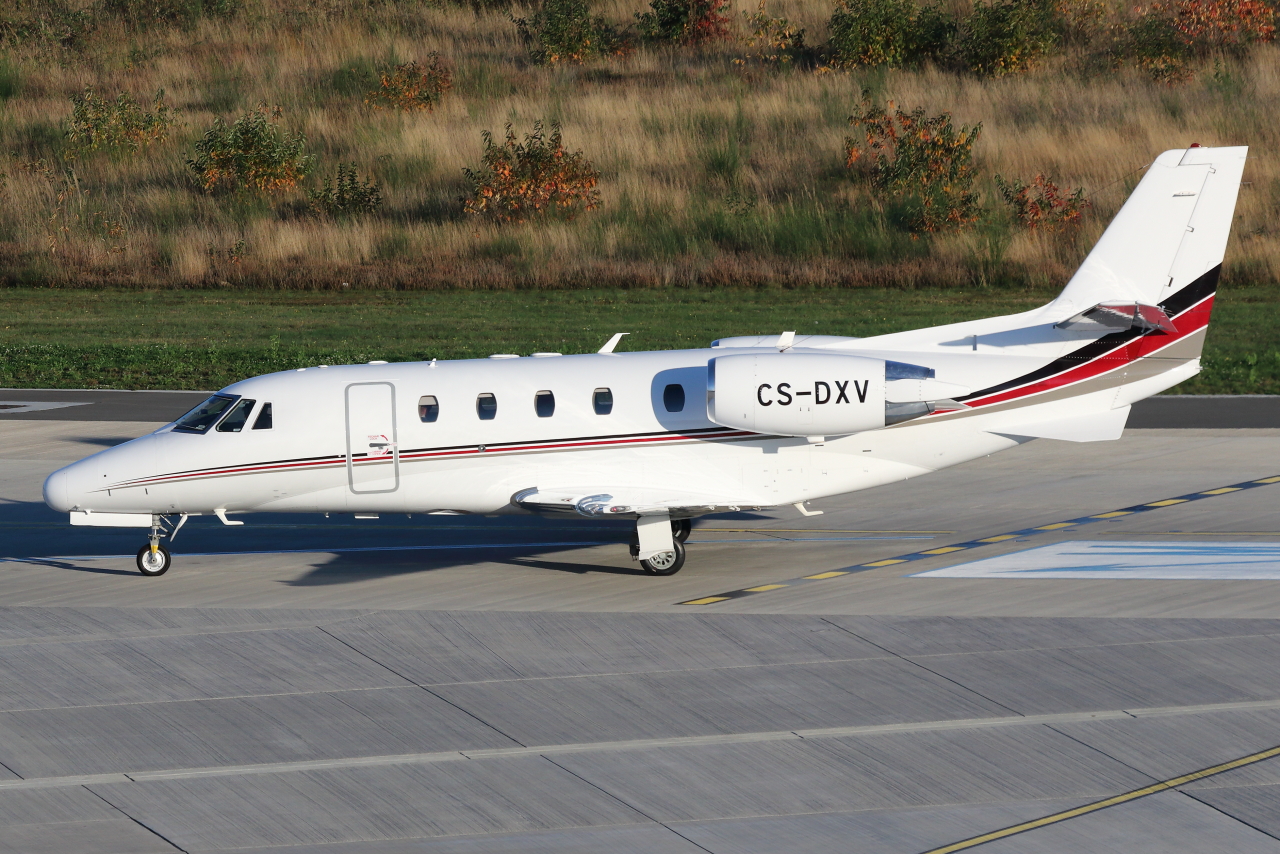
[{"x": 534, "y": 179}]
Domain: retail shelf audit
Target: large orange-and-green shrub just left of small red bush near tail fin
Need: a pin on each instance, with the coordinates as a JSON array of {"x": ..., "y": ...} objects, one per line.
[{"x": 924, "y": 162}]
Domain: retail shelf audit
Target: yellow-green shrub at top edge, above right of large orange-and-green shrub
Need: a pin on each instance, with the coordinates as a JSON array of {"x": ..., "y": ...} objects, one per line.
[{"x": 1007, "y": 36}]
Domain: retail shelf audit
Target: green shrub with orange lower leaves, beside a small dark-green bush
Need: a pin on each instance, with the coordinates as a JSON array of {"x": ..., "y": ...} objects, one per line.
[{"x": 250, "y": 154}]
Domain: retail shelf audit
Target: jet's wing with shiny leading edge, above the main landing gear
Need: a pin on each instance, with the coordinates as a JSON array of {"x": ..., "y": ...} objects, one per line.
[{"x": 604, "y": 503}]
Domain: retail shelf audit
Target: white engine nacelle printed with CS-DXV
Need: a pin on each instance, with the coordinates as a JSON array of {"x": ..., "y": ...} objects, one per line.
[{"x": 797, "y": 394}]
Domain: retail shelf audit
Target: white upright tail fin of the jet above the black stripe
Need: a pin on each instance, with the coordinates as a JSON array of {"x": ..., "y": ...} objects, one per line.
[{"x": 1171, "y": 234}]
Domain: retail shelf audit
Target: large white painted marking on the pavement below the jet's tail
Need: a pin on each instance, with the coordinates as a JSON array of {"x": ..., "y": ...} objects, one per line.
[{"x": 1127, "y": 560}]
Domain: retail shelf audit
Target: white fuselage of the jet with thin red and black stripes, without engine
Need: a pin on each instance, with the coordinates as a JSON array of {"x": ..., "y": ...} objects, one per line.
[{"x": 317, "y": 456}]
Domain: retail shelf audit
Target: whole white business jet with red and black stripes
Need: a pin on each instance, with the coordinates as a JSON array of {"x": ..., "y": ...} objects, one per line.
[{"x": 664, "y": 437}]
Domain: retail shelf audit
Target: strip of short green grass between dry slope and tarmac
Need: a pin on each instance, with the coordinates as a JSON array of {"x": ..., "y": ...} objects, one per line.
[{"x": 109, "y": 339}]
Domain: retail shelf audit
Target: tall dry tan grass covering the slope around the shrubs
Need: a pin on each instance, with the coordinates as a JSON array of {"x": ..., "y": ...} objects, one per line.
[{"x": 712, "y": 172}]
